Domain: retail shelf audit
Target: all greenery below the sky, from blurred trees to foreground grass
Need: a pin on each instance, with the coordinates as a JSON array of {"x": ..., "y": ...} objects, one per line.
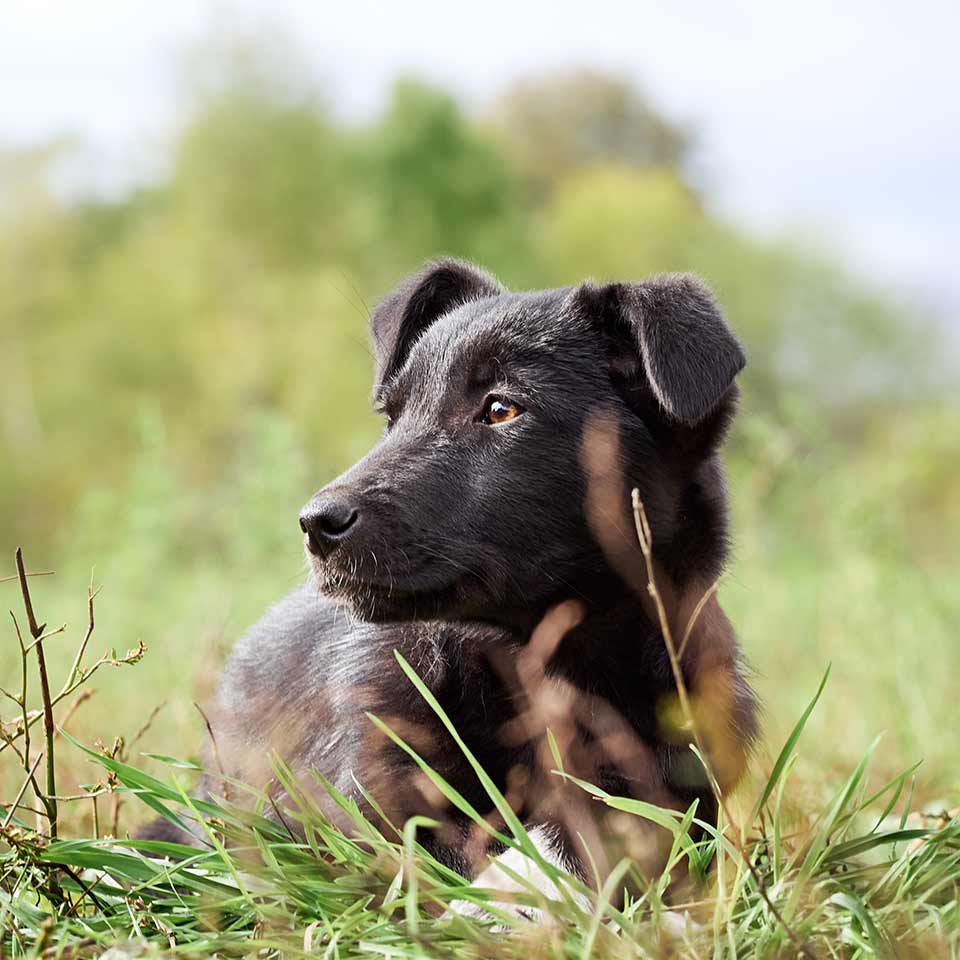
[{"x": 188, "y": 363}]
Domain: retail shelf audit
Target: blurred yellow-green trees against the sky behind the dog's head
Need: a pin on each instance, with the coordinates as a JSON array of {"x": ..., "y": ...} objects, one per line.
[{"x": 240, "y": 281}]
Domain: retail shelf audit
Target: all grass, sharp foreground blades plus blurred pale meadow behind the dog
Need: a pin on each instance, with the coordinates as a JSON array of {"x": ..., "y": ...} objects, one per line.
[{"x": 858, "y": 857}]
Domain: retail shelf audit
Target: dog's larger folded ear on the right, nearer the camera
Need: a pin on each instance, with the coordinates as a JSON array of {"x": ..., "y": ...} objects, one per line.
[{"x": 672, "y": 329}]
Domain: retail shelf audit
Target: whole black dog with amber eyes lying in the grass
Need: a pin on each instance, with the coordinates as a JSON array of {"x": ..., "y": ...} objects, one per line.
[{"x": 489, "y": 538}]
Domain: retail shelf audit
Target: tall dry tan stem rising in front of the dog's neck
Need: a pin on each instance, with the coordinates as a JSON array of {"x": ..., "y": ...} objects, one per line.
[{"x": 646, "y": 547}]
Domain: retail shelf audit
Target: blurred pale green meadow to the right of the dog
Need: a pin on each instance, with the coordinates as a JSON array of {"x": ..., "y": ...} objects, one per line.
[{"x": 841, "y": 555}]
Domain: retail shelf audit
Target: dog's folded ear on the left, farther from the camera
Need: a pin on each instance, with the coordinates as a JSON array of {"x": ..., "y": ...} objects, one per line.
[{"x": 402, "y": 316}]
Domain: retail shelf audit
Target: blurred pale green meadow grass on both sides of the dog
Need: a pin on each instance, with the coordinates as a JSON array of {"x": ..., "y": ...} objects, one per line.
[{"x": 840, "y": 556}]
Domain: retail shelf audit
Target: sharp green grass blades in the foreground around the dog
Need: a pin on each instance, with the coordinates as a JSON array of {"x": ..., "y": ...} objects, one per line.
[{"x": 859, "y": 874}]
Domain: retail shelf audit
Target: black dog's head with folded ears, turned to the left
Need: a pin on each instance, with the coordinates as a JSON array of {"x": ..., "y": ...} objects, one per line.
[{"x": 516, "y": 425}]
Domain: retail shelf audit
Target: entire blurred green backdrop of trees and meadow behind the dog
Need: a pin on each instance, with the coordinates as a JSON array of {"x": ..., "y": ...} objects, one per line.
[{"x": 184, "y": 365}]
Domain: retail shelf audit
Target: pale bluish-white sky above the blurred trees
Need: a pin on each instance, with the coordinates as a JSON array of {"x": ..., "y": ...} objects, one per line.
[{"x": 838, "y": 121}]
